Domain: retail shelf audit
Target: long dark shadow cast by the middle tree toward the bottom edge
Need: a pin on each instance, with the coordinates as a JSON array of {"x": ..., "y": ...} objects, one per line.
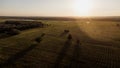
[{"x": 62, "y": 53}]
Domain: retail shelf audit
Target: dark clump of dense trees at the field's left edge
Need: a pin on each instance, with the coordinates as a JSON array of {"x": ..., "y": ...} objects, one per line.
[{"x": 14, "y": 27}]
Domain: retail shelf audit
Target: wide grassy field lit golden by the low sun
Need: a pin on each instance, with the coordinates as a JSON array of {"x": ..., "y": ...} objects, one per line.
[{"x": 98, "y": 46}]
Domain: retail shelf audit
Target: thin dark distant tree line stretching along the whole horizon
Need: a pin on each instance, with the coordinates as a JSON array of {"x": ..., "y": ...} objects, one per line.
[{"x": 111, "y": 18}]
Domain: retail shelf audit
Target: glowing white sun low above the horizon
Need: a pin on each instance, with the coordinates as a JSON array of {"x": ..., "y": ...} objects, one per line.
[{"x": 82, "y": 7}]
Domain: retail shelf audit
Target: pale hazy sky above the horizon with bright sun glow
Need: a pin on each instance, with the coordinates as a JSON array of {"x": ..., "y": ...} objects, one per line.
[{"x": 60, "y": 8}]
